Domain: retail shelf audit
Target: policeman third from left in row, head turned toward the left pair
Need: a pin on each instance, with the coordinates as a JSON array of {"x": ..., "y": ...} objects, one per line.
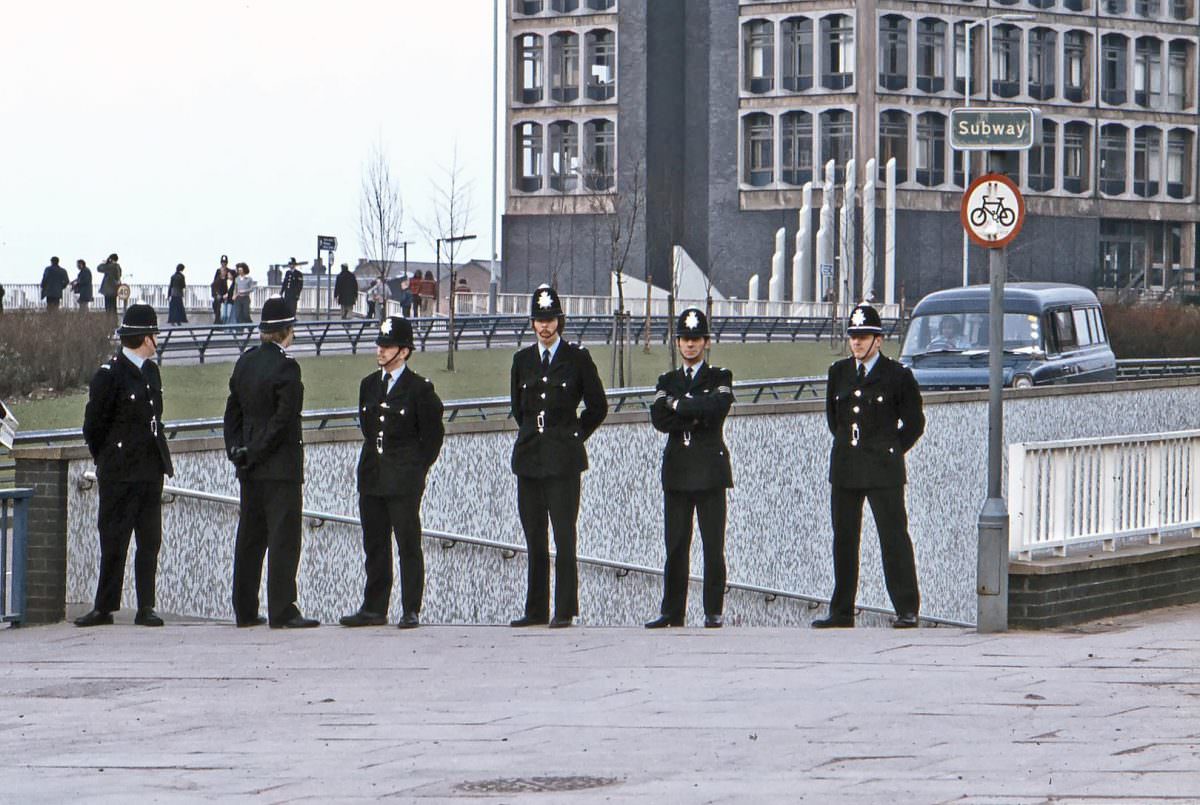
[{"x": 401, "y": 420}]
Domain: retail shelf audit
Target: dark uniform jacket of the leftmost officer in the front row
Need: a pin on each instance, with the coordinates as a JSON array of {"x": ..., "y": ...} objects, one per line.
[{"x": 123, "y": 423}]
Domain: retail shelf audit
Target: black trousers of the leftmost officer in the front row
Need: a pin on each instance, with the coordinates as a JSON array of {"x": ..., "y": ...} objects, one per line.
[{"x": 129, "y": 508}]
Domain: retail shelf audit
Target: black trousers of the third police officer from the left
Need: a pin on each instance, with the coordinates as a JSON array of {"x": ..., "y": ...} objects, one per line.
[{"x": 383, "y": 518}]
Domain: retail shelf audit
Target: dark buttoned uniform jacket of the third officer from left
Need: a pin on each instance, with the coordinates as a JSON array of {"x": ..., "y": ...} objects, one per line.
[{"x": 401, "y": 434}]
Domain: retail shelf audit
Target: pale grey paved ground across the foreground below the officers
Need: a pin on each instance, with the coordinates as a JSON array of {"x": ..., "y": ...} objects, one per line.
[{"x": 1109, "y": 713}]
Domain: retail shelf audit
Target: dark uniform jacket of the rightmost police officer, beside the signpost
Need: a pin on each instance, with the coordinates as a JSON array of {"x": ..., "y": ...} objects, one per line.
[{"x": 874, "y": 424}]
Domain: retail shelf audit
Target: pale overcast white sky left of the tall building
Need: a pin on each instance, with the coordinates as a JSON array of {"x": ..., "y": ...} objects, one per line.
[{"x": 175, "y": 131}]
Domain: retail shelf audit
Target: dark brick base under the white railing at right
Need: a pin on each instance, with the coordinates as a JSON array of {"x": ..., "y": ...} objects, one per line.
[{"x": 1059, "y": 592}]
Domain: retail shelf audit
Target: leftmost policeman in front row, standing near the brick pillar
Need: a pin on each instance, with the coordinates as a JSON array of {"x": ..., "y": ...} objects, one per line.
[{"x": 123, "y": 428}]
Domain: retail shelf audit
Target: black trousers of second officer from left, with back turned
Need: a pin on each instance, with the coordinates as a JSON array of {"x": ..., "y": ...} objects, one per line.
[{"x": 269, "y": 524}]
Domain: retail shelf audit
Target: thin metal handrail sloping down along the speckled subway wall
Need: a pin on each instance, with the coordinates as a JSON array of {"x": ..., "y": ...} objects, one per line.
[{"x": 511, "y": 550}]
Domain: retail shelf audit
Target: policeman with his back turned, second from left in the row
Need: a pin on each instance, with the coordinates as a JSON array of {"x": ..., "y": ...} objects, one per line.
[{"x": 263, "y": 441}]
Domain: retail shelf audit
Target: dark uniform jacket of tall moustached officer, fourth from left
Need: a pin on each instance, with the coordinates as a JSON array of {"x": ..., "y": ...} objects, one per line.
[{"x": 550, "y": 431}]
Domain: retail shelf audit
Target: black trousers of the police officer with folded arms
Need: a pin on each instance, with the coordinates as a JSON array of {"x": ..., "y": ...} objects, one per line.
[{"x": 710, "y": 509}]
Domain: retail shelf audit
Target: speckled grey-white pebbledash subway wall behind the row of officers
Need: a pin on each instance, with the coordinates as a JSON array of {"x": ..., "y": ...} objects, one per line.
[{"x": 779, "y": 533}]
